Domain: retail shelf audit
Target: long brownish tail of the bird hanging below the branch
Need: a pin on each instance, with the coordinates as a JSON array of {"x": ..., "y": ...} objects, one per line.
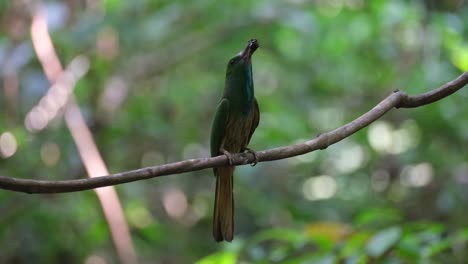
[{"x": 223, "y": 218}]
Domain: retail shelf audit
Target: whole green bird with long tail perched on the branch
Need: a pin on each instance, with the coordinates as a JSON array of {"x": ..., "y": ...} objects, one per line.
[{"x": 237, "y": 116}]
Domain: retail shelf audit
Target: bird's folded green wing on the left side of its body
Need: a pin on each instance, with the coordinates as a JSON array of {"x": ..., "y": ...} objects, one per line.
[{"x": 219, "y": 126}]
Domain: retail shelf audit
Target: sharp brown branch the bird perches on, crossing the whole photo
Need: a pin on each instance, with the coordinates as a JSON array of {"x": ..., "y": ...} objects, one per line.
[{"x": 397, "y": 99}]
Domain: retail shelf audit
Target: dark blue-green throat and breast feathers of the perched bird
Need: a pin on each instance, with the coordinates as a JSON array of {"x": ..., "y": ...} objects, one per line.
[{"x": 240, "y": 89}]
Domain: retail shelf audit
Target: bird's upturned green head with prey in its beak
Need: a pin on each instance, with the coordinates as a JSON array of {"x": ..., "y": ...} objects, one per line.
[{"x": 241, "y": 63}]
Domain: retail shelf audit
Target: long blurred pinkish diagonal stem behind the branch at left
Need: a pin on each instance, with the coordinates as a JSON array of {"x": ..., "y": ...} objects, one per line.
[{"x": 87, "y": 149}]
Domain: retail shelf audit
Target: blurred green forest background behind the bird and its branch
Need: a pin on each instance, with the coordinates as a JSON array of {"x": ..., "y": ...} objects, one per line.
[{"x": 144, "y": 77}]
